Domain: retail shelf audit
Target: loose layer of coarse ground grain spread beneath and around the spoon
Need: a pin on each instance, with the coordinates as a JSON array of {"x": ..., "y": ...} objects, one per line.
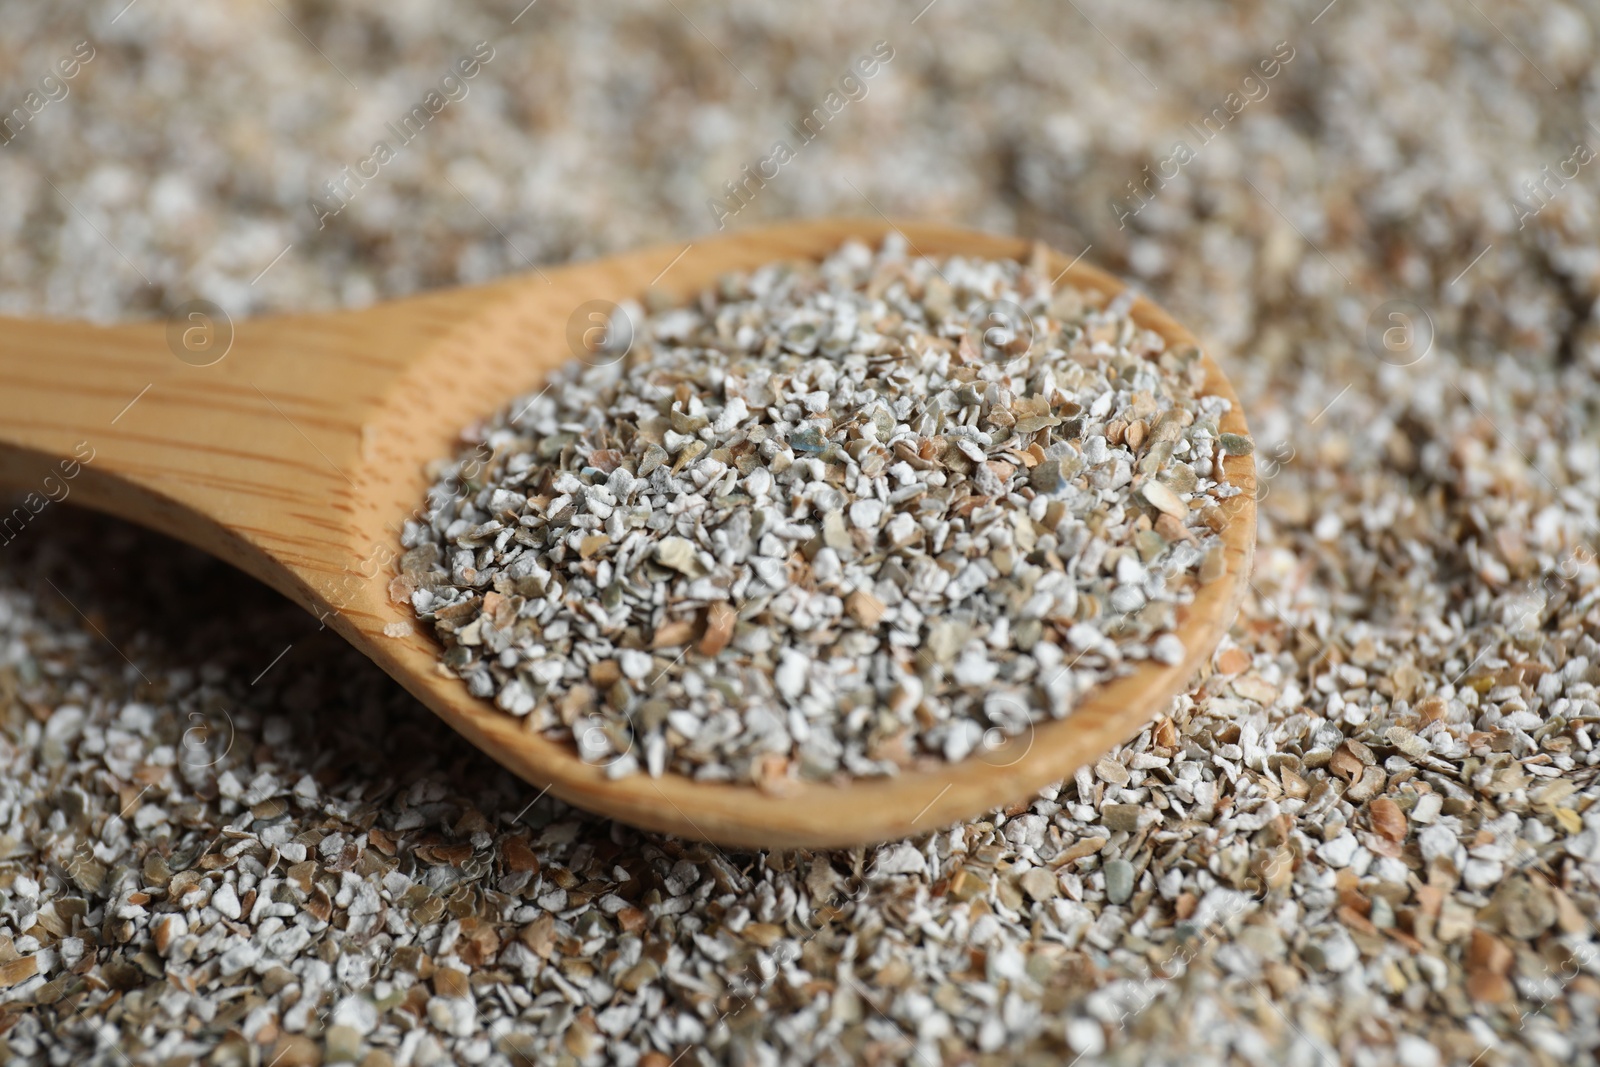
[{"x": 1422, "y": 639}]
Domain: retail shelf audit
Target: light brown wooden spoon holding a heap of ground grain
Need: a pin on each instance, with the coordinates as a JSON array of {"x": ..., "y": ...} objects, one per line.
[{"x": 300, "y": 452}]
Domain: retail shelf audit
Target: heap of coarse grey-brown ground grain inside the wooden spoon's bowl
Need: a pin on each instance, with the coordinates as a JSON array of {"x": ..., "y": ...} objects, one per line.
[{"x": 927, "y": 439}]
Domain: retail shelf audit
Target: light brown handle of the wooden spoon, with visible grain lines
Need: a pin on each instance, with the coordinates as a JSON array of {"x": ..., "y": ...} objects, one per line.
[{"x": 242, "y": 439}]
